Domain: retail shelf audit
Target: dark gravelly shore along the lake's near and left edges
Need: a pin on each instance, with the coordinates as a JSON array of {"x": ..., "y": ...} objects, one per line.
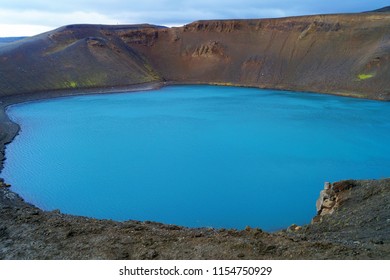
[{"x": 353, "y": 222}]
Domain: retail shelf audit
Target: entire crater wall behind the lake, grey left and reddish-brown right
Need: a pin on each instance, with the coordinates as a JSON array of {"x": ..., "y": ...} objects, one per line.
[{"x": 341, "y": 54}]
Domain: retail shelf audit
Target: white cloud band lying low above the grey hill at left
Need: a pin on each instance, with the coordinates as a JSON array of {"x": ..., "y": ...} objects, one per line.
[{"x": 32, "y": 22}]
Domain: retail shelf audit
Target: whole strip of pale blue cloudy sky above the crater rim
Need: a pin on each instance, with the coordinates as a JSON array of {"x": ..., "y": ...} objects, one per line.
[{"x": 30, "y": 17}]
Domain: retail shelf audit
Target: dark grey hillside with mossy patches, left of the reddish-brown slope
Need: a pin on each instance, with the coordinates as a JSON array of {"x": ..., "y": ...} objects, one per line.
[{"x": 73, "y": 57}]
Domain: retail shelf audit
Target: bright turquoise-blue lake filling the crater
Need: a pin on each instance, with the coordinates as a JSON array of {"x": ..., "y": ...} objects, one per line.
[{"x": 195, "y": 155}]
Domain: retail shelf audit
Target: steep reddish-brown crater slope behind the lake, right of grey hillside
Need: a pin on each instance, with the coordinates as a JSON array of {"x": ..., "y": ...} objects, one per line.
[{"x": 346, "y": 54}]
